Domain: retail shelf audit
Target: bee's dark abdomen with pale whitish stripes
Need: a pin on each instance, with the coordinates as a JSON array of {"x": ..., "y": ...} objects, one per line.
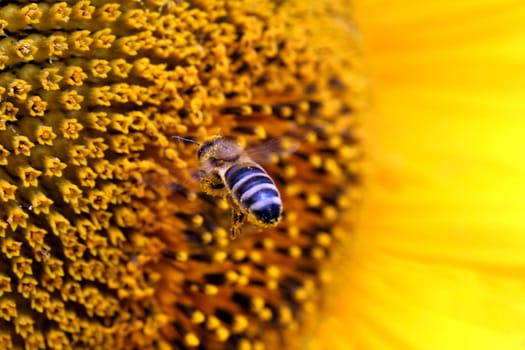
[{"x": 255, "y": 191}]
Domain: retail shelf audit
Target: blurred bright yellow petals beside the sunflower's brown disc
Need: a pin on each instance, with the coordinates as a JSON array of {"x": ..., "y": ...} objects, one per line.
[{"x": 438, "y": 261}]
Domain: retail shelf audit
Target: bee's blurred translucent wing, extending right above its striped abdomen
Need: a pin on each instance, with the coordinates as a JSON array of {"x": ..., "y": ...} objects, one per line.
[{"x": 271, "y": 149}]
